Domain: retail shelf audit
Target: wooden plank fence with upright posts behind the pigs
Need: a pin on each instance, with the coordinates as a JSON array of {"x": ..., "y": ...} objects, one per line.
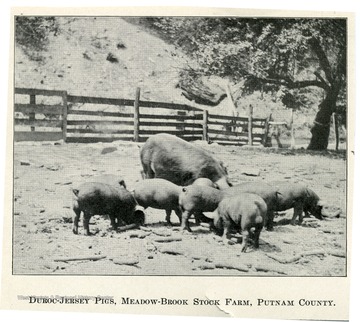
[{"x": 47, "y": 115}]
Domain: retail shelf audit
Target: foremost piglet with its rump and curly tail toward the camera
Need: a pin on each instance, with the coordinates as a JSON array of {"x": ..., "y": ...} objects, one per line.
[{"x": 245, "y": 212}]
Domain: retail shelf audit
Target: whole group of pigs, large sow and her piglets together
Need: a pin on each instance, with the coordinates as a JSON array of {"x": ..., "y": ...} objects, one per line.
[{"x": 181, "y": 177}]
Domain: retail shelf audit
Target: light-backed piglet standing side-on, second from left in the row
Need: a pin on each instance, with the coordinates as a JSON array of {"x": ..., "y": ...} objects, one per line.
[{"x": 160, "y": 194}]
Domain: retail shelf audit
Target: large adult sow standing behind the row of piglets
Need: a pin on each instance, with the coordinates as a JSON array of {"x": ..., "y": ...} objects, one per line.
[{"x": 169, "y": 157}]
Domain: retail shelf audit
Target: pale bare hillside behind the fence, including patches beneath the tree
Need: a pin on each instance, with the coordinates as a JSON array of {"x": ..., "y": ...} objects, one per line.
[{"x": 115, "y": 56}]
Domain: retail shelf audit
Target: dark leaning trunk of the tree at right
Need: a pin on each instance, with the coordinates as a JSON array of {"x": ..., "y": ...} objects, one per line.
[{"x": 321, "y": 129}]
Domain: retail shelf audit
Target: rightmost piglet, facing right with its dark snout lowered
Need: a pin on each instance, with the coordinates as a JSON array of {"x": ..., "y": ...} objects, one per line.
[{"x": 299, "y": 197}]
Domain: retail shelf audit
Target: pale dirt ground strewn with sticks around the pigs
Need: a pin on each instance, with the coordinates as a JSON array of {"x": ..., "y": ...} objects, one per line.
[{"x": 44, "y": 174}]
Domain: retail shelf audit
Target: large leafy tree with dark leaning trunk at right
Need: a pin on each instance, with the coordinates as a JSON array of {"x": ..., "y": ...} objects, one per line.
[{"x": 287, "y": 52}]
